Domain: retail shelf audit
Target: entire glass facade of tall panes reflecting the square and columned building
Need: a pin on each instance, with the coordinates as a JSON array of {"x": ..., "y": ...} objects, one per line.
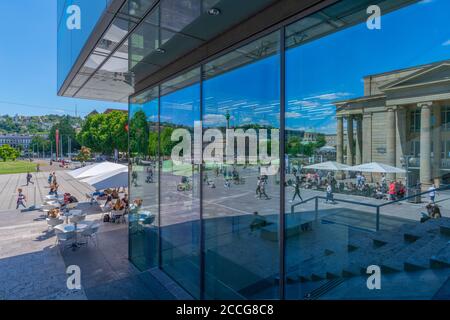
[{"x": 300, "y": 162}]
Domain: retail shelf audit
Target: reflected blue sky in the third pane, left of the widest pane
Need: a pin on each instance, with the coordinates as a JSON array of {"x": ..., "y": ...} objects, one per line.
[{"x": 250, "y": 95}]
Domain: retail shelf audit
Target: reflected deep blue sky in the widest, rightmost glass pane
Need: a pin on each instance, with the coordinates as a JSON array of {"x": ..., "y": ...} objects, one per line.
[{"x": 332, "y": 68}]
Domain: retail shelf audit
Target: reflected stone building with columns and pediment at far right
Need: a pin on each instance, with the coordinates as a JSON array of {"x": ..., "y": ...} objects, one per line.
[{"x": 403, "y": 113}]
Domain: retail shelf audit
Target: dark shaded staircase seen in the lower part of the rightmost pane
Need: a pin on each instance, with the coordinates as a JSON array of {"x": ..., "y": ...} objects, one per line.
[{"x": 407, "y": 248}]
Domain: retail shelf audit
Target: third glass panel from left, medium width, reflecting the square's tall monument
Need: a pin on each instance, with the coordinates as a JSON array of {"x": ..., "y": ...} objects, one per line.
[{"x": 241, "y": 191}]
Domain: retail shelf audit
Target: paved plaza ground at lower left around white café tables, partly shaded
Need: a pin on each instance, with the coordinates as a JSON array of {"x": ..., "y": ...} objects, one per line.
[{"x": 33, "y": 267}]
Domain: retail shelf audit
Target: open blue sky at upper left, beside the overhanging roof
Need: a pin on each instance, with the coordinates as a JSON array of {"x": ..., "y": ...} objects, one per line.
[{"x": 28, "y": 60}]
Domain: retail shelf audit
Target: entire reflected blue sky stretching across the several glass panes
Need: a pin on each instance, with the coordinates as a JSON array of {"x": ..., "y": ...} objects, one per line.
[{"x": 318, "y": 73}]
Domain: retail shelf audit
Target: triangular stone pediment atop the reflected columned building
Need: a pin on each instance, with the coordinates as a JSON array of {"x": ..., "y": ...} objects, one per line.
[{"x": 436, "y": 74}]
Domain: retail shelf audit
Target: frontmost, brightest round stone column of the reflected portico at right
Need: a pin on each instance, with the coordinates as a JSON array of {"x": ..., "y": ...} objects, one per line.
[{"x": 425, "y": 144}]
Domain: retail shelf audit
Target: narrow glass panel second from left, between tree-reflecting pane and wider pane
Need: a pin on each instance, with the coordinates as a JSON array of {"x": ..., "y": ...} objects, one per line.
[{"x": 180, "y": 181}]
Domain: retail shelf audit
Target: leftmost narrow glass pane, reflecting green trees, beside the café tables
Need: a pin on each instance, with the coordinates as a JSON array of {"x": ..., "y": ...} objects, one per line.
[{"x": 144, "y": 173}]
